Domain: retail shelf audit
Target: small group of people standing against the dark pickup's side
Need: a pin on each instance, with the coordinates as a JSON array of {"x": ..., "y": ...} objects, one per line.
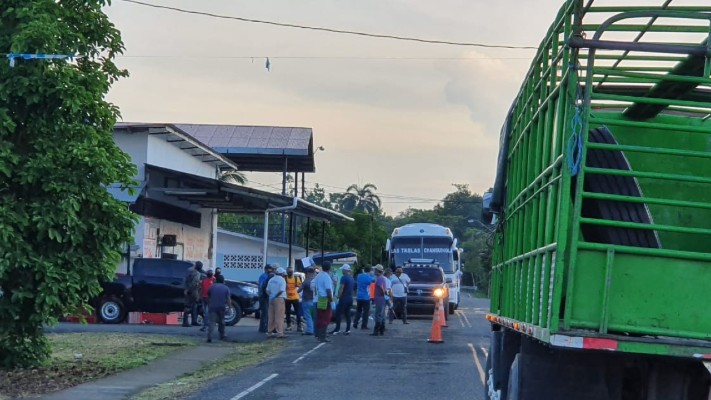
[{"x": 209, "y": 289}]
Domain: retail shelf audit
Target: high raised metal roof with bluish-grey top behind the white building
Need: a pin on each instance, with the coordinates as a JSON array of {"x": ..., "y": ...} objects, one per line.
[{"x": 258, "y": 148}]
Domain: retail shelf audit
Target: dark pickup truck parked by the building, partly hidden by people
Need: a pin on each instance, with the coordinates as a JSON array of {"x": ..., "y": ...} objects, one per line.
[{"x": 156, "y": 285}]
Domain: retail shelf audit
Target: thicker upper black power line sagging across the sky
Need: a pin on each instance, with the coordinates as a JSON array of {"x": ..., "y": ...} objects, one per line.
[{"x": 331, "y": 30}]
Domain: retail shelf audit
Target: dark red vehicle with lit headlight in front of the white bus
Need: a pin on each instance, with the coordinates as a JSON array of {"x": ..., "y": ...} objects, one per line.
[{"x": 428, "y": 284}]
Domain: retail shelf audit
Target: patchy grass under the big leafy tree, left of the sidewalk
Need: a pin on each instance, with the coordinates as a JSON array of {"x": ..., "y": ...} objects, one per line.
[{"x": 82, "y": 357}]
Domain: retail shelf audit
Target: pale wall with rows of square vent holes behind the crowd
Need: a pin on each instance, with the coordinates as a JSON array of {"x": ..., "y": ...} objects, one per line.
[{"x": 241, "y": 257}]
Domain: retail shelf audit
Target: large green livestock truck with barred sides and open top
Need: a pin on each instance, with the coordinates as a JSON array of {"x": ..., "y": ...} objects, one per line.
[{"x": 601, "y": 263}]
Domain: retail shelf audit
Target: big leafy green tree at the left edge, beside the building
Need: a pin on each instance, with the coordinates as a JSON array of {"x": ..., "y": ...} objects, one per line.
[{"x": 60, "y": 230}]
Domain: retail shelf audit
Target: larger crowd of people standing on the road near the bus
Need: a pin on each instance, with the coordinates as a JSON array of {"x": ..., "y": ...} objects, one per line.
[{"x": 283, "y": 292}]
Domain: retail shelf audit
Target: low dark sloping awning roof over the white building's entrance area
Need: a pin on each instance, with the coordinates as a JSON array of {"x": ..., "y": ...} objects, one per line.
[{"x": 227, "y": 197}]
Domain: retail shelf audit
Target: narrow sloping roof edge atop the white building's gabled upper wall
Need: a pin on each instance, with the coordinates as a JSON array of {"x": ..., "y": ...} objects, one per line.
[{"x": 180, "y": 139}]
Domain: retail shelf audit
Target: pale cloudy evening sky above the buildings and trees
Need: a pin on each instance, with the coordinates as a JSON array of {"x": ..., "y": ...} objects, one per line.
[{"x": 411, "y": 118}]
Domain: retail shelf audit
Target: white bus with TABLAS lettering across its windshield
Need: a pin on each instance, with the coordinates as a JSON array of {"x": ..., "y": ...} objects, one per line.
[{"x": 428, "y": 241}]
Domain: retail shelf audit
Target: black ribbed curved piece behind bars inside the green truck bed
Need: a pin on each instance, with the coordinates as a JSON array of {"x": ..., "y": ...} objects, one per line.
[{"x": 614, "y": 210}]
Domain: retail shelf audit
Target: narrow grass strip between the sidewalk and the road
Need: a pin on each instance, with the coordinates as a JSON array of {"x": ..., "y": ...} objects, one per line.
[{"x": 237, "y": 356}]
